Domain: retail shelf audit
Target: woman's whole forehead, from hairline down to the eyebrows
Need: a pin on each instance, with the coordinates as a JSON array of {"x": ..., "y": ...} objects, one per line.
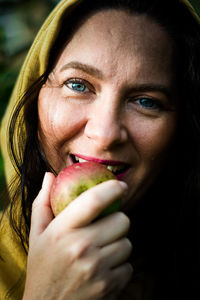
[{"x": 114, "y": 38}]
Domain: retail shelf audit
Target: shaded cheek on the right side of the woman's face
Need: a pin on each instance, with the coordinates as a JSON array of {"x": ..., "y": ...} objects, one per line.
[{"x": 152, "y": 140}]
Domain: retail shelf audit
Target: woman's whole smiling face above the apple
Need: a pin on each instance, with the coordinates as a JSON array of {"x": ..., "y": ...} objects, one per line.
[{"x": 111, "y": 99}]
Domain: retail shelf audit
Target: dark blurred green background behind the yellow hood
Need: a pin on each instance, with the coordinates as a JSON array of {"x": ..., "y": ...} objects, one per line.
[{"x": 19, "y": 22}]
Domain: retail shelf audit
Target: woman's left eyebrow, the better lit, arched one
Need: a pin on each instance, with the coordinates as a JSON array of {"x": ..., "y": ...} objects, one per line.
[{"x": 83, "y": 67}]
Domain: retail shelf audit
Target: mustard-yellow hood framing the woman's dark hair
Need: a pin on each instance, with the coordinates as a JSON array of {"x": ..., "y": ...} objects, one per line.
[{"x": 35, "y": 65}]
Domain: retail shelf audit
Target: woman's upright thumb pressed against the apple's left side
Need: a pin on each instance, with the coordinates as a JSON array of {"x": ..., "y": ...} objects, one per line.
[{"x": 42, "y": 213}]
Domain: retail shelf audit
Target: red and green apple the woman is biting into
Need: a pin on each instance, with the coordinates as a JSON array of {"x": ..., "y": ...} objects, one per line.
[{"x": 76, "y": 179}]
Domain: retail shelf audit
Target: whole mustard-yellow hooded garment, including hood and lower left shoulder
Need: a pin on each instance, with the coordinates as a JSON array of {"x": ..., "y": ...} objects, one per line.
[{"x": 12, "y": 255}]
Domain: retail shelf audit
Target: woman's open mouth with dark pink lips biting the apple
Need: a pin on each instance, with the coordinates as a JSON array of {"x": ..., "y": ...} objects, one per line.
[{"x": 119, "y": 169}]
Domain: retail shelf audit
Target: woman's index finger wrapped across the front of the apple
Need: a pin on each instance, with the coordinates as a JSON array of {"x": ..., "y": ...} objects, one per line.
[{"x": 84, "y": 209}]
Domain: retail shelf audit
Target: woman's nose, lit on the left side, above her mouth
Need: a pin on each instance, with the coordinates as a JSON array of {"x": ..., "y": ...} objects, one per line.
[{"x": 105, "y": 125}]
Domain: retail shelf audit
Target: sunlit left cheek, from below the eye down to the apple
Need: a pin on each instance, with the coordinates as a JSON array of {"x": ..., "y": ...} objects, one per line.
[{"x": 59, "y": 122}]
